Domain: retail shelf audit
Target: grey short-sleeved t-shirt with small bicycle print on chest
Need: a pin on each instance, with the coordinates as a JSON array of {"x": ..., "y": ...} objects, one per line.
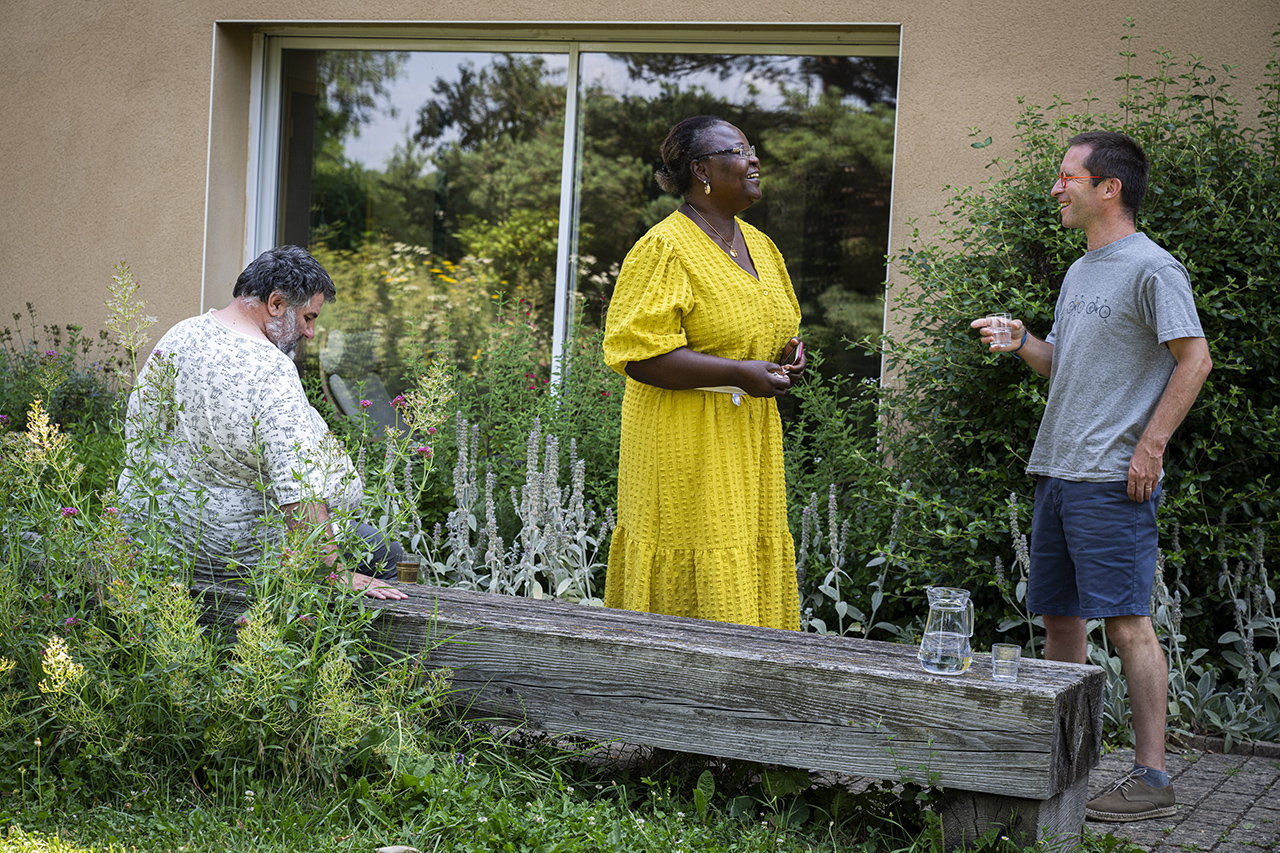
[{"x": 1118, "y": 308}]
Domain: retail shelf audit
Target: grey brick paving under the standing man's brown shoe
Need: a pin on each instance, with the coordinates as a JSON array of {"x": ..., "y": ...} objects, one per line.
[{"x": 1227, "y": 804}]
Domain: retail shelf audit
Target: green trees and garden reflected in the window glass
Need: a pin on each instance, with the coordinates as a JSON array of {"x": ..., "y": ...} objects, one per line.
[{"x": 477, "y": 186}]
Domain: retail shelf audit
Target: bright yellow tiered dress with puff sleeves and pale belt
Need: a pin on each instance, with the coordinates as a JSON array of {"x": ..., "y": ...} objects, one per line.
[{"x": 702, "y": 491}]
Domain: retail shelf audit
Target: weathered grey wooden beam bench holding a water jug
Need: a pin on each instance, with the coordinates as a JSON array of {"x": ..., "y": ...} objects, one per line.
[{"x": 1009, "y": 755}]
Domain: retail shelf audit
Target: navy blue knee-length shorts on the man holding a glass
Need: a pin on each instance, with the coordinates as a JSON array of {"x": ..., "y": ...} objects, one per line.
[{"x": 1094, "y": 550}]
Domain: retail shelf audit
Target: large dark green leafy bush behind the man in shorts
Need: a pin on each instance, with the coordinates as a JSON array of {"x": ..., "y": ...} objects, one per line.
[{"x": 959, "y": 422}]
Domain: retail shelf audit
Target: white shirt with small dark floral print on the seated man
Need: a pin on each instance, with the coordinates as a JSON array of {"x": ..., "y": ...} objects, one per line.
[{"x": 239, "y": 440}]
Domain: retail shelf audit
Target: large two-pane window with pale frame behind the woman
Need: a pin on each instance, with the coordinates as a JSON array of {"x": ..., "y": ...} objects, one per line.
[{"x": 445, "y": 186}]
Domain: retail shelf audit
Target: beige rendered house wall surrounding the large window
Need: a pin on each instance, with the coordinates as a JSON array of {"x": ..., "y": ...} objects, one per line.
[{"x": 125, "y": 127}]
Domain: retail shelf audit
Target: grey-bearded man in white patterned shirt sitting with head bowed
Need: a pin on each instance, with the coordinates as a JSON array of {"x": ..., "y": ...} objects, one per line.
[{"x": 222, "y": 437}]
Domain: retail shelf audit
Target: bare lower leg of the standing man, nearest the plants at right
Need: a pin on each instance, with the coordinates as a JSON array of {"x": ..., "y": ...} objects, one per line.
[{"x": 1148, "y": 673}]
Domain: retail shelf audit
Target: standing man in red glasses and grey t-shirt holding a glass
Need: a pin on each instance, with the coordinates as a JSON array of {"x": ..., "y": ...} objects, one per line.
[{"x": 1126, "y": 361}]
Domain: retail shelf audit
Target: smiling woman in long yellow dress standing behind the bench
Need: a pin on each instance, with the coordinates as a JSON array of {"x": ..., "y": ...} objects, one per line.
[{"x": 703, "y": 323}]
